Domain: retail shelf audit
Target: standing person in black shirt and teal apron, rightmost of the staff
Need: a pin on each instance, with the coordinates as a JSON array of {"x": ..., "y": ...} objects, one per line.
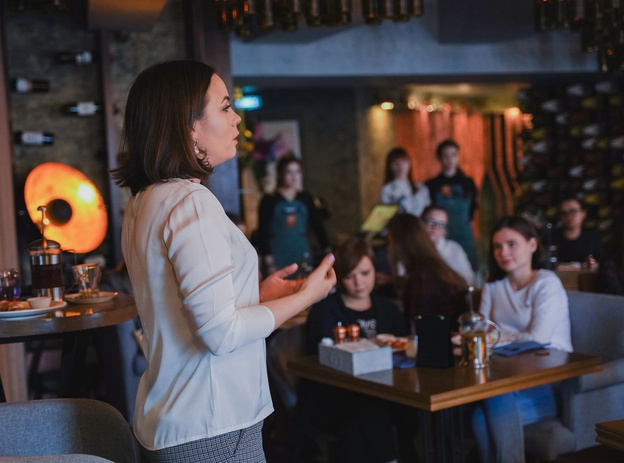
[{"x": 456, "y": 193}]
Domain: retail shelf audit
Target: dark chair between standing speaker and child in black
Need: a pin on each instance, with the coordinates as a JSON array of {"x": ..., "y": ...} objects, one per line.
[{"x": 282, "y": 346}]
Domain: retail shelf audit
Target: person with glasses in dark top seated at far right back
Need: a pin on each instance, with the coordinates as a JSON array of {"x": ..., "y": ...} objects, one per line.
[{"x": 574, "y": 242}]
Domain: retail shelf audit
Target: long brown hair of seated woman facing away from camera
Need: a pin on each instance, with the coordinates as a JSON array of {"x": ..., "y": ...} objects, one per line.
[{"x": 412, "y": 246}]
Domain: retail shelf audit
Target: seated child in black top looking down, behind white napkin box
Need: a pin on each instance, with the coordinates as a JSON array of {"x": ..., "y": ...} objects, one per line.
[{"x": 363, "y": 424}]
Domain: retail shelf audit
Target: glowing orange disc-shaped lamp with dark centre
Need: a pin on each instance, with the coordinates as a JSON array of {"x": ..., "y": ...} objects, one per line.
[{"x": 76, "y": 216}]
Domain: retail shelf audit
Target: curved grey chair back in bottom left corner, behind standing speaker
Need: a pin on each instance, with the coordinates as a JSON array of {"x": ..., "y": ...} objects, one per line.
[{"x": 63, "y": 430}]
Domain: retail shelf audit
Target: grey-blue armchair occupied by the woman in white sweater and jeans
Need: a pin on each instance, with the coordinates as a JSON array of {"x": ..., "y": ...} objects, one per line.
[{"x": 597, "y": 322}]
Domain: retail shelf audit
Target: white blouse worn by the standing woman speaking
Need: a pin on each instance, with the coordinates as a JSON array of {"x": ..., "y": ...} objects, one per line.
[{"x": 195, "y": 281}]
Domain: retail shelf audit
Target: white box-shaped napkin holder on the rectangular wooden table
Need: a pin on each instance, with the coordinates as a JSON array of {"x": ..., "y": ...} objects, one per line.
[{"x": 356, "y": 358}]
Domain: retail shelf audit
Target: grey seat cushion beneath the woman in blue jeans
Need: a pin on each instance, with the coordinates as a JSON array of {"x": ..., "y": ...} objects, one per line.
[{"x": 548, "y": 439}]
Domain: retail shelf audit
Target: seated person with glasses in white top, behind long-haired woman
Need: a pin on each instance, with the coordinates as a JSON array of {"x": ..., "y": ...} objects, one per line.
[{"x": 435, "y": 219}]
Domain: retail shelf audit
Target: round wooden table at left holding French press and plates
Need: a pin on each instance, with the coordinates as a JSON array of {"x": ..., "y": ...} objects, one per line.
[{"x": 72, "y": 323}]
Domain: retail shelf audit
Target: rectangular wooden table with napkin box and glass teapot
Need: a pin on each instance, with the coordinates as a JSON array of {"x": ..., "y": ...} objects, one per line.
[{"x": 440, "y": 391}]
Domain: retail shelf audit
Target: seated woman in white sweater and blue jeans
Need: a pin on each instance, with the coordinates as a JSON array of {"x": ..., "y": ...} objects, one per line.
[{"x": 528, "y": 304}]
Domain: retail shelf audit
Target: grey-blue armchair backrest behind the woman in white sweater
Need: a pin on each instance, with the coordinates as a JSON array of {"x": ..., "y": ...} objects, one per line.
[{"x": 597, "y": 322}]
